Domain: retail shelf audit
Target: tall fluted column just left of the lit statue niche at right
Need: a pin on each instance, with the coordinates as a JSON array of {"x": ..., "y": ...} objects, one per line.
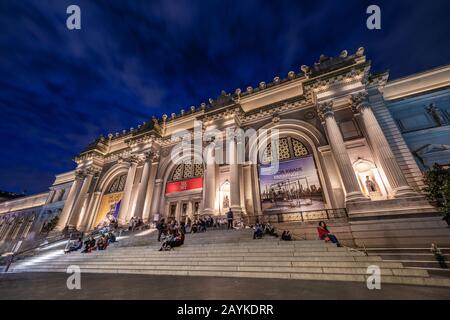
[{"x": 337, "y": 145}]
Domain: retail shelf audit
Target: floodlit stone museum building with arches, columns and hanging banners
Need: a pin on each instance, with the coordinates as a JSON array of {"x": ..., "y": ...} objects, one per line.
[{"x": 352, "y": 148}]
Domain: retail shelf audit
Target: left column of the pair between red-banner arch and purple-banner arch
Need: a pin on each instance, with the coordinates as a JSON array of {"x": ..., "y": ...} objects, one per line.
[{"x": 210, "y": 182}]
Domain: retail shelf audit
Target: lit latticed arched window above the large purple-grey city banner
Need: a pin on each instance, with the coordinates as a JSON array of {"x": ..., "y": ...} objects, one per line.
[{"x": 288, "y": 148}]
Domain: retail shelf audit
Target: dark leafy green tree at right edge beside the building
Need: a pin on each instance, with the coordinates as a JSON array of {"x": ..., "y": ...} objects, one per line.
[{"x": 437, "y": 188}]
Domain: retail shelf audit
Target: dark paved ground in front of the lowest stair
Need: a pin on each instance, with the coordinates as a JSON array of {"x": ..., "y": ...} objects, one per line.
[{"x": 123, "y": 286}]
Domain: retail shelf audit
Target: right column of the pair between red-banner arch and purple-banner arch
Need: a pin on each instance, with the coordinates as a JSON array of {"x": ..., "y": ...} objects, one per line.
[{"x": 235, "y": 181}]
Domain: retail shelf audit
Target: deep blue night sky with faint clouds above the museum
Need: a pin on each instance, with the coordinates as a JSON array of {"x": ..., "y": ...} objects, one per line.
[{"x": 61, "y": 89}]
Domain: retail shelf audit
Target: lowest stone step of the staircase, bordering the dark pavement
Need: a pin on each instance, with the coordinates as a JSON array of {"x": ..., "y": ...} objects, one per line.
[{"x": 421, "y": 281}]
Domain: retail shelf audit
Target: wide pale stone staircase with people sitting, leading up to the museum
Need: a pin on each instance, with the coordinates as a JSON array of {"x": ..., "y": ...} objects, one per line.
[{"x": 222, "y": 253}]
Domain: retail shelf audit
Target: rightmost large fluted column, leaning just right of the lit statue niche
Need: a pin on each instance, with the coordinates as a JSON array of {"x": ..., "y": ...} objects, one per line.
[{"x": 380, "y": 146}]
